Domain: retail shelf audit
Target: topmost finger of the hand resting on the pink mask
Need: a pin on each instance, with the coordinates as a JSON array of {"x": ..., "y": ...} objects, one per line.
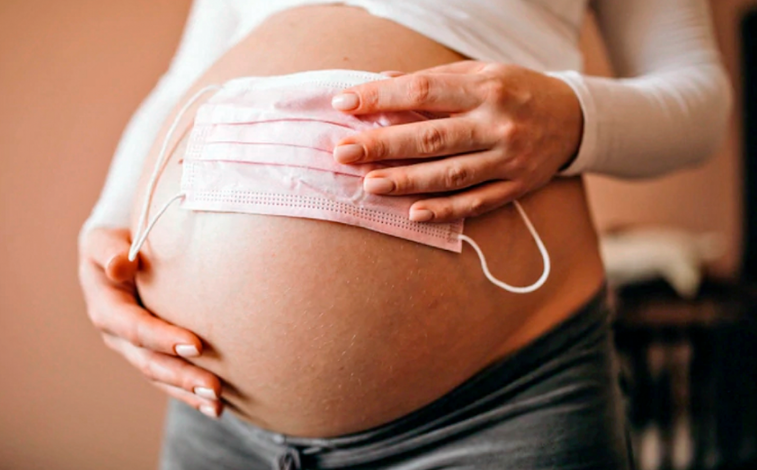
[{"x": 451, "y": 93}]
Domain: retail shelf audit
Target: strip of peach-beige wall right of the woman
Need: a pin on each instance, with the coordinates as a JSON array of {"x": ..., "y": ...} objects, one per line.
[{"x": 702, "y": 199}]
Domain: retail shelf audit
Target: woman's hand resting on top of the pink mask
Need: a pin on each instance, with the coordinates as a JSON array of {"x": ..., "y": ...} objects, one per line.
[{"x": 508, "y": 131}]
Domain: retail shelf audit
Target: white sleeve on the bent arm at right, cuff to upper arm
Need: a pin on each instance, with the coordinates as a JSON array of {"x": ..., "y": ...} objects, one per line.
[{"x": 670, "y": 106}]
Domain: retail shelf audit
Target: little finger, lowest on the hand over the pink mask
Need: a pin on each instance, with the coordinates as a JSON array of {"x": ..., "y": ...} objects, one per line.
[{"x": 470, "y": 203}]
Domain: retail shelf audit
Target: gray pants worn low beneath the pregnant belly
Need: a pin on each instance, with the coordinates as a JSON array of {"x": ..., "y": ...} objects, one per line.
[{"x": 553, "y": 405}]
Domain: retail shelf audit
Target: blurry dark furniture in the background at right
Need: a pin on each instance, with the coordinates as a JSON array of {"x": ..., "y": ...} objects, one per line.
[{"x": 690, "y": 367}]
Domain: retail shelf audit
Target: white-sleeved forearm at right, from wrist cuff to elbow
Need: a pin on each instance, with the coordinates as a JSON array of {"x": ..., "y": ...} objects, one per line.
[{"x": 649, "y": 126}]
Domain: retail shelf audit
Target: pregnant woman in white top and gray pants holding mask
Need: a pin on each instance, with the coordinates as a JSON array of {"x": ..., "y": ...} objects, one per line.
[{"x": 389, "y": 270}]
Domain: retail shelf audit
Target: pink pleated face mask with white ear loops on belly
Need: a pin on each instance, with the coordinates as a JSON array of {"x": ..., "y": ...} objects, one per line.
[{"x": 263, "y": 145}]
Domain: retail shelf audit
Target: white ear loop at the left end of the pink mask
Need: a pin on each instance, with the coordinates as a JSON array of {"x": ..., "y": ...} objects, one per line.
[{"x": 136, "y": 245}]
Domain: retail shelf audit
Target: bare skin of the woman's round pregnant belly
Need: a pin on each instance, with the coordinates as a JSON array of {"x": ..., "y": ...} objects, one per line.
[{"x": 320, "y": 329}]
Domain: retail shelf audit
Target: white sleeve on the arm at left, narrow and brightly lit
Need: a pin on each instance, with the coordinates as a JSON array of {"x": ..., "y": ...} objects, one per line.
[{"x": 209, "y": 28}]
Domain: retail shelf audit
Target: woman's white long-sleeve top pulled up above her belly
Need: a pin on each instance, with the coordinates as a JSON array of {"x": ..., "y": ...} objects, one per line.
[{"x": 667, "y": 110}]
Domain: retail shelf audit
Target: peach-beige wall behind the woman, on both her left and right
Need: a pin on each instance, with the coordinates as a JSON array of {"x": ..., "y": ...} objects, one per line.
[{"x": 71, "y": 73}]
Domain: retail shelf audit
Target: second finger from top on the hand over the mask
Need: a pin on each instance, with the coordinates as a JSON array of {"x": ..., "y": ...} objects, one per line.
[{"x": 424, "y": 139}]
